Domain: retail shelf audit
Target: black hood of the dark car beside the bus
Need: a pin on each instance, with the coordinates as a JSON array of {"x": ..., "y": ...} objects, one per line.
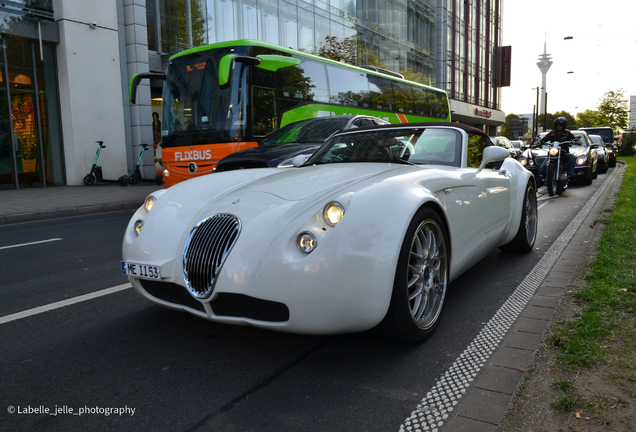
[{"x": 264, "y": 156}]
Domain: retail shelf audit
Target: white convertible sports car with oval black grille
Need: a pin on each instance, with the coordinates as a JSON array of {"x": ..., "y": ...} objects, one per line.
[{"x": 367, "y": 233}]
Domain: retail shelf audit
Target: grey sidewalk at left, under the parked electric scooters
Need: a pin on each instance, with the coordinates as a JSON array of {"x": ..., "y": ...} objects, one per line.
[{"x": 26, "y": 205}]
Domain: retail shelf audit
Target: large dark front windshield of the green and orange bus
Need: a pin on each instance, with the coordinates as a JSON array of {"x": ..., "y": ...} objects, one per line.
[{"x": 195, "y": 109}]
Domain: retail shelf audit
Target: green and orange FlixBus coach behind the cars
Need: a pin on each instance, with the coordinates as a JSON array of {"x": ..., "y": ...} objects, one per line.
[{"x": 224, "y": 97}]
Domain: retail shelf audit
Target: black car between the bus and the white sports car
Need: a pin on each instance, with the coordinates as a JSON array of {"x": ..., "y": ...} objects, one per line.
[{"x": 279, "y": 147}]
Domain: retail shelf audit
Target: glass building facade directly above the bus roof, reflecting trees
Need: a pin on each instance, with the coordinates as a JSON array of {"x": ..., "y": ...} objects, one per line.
[{"x": 391, "y": 34}]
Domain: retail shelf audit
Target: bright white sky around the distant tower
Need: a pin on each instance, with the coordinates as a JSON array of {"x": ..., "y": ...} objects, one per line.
[{"x": 601, "y": 54}]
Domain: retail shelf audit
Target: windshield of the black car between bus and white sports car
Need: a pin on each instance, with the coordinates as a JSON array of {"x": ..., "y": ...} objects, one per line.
[{"x": 316, "y": 130}]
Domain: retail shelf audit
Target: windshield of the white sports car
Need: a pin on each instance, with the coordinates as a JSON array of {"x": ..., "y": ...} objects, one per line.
[{"x": 417, "y": 145}]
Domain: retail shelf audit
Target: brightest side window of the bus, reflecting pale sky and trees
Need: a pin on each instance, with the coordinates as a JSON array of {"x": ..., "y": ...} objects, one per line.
[{"x": 348, "y": 87}]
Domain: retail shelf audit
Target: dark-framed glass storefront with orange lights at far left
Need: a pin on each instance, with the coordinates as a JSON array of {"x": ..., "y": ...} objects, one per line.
[{"x": 31, "y": 151}]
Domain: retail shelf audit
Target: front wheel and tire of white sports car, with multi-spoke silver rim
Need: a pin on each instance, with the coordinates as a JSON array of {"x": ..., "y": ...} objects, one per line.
[{"x": 421, "y": 279}]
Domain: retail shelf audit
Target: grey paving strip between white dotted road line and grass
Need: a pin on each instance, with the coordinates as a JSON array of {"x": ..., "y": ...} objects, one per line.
[{"x": 491, "y": 395}]
